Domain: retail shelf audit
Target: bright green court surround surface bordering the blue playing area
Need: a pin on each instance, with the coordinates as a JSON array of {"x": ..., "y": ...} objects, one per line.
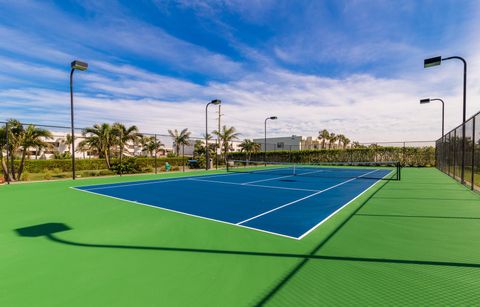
[{"x": 410, "y": 242}]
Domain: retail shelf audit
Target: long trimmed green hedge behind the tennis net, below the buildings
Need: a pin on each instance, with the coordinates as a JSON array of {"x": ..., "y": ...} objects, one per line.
[{"x": 408, "y": 156}]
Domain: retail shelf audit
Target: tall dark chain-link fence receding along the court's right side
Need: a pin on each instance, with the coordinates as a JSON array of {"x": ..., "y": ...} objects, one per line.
[{"x": 458, "y": 153}]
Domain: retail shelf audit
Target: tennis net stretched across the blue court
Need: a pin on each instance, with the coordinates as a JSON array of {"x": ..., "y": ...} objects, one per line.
[{"x": 367, "y": 170}]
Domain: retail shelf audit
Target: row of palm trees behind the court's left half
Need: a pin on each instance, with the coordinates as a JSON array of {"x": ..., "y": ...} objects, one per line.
[{"x": 106, "y": 141}]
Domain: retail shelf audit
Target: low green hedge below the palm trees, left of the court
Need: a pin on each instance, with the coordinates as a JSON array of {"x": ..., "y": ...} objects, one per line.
[{"x": 39, "y": 166}]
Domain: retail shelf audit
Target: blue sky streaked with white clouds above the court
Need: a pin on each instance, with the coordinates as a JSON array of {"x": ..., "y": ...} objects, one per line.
[{"x": 353, "y": 67}]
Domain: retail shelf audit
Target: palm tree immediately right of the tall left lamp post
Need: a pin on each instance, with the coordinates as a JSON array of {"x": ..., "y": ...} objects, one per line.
[{"x": 102, "y": 138}]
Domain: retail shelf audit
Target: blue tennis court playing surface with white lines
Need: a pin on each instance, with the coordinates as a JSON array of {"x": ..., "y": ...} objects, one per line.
[{"x": 287, "y": 205}]
